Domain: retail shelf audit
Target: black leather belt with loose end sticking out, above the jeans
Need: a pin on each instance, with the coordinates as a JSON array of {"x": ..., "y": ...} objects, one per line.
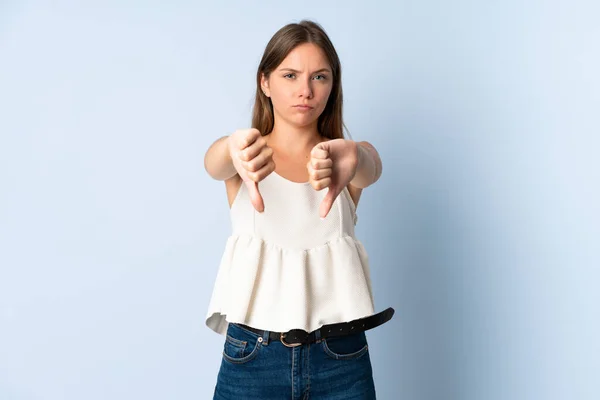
[{"x": 296, "y": 337}]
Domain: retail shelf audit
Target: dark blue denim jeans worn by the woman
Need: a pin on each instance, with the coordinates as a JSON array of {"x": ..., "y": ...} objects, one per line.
[{"x": 330, "y": 369}]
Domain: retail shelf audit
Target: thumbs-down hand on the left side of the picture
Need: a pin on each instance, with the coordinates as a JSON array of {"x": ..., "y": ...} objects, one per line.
[{"x": 253, "y": 161}]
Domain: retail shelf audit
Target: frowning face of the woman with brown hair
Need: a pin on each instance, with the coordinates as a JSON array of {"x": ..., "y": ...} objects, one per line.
[{"x": 300, "y": 86}]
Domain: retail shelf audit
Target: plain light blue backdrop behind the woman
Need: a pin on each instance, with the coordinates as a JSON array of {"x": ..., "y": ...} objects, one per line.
[{"x": 482, "y": 233}]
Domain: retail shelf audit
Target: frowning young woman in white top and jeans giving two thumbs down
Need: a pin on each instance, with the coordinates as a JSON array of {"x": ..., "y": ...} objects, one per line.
[{"x": 293, "y": 293}]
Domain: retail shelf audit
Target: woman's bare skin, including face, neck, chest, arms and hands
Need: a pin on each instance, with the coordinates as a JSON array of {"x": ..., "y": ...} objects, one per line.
[{"x": 294, "y": 148}]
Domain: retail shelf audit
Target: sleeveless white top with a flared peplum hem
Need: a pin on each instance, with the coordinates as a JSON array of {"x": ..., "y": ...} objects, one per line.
[{"x": 286, "y": 268}]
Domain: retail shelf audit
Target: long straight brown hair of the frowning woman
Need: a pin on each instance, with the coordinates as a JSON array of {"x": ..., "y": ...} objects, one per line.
[{"x": 330, "y": 124}]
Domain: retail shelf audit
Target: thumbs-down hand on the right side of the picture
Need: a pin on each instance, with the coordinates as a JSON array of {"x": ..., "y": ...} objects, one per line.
[{"x": 332, "y": 165}]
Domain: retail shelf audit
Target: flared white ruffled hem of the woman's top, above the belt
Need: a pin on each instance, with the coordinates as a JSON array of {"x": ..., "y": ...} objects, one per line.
[{"x": 259, "y": 284}]
